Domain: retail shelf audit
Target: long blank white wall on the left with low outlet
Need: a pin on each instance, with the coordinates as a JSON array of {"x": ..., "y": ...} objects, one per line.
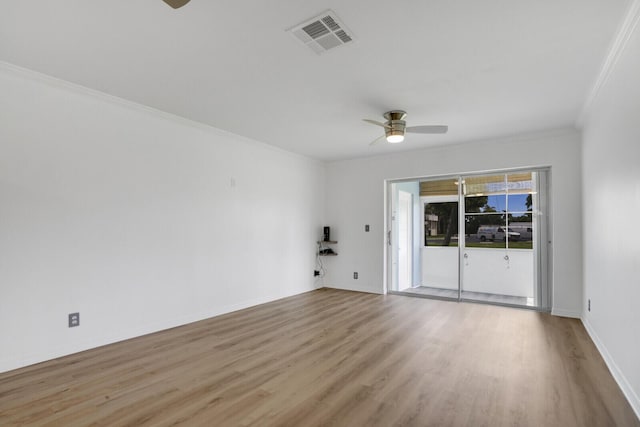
[{"x": 138, "y": 220}]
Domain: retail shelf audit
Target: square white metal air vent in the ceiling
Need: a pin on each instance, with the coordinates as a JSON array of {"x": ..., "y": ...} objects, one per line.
[{"x": 323, "y": 32}]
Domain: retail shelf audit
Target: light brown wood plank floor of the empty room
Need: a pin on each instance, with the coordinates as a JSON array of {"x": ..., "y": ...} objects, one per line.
[{"x": 332, "y": 357}]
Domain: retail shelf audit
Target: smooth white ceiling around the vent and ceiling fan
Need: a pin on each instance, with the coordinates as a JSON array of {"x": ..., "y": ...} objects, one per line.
[{"x": 486, "y": 68}]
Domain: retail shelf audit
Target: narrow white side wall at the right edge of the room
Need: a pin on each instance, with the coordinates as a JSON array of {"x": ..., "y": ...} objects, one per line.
[{"x": 611, "y": 175}]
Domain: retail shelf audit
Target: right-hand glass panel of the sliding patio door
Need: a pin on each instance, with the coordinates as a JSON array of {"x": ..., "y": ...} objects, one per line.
[{"x": 499, "y": 254}]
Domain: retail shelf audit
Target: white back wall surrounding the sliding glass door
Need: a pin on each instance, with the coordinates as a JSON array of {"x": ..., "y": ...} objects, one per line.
[{"x": 355, "y": 196}]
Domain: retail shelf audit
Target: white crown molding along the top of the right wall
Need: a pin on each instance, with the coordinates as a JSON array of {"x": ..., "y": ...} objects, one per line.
[{"x": 624, "y": 33}]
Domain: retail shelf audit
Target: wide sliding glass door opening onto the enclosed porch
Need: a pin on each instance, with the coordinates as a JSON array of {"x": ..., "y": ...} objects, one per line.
[{"x": 471, "y": 237}]
